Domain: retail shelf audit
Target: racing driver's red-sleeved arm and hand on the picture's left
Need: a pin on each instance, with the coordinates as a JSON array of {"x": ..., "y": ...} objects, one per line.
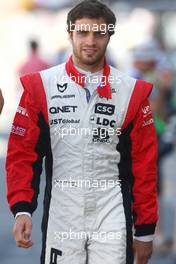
[{"x": 26, "y": 149}]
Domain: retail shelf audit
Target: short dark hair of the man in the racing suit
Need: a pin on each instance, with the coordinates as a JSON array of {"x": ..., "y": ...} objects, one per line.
[{"x": 91, "y": 9}]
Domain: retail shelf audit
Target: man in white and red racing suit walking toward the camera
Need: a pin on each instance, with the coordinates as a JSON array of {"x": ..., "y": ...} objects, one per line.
[{"x": 95, "y": 181}]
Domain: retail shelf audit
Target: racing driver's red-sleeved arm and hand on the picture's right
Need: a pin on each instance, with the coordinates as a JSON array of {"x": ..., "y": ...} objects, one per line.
[{"x": 144, "y": 189}]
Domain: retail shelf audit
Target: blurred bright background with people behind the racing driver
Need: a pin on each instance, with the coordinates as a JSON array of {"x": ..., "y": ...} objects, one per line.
[{"x": 33, "y": 37}]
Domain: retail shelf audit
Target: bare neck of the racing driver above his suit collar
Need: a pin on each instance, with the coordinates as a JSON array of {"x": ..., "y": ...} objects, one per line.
[{"x": 91, "y": 68}]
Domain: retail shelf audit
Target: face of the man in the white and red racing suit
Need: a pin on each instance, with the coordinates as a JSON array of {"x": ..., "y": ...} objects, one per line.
[{"x": 89, "y": 40}]
